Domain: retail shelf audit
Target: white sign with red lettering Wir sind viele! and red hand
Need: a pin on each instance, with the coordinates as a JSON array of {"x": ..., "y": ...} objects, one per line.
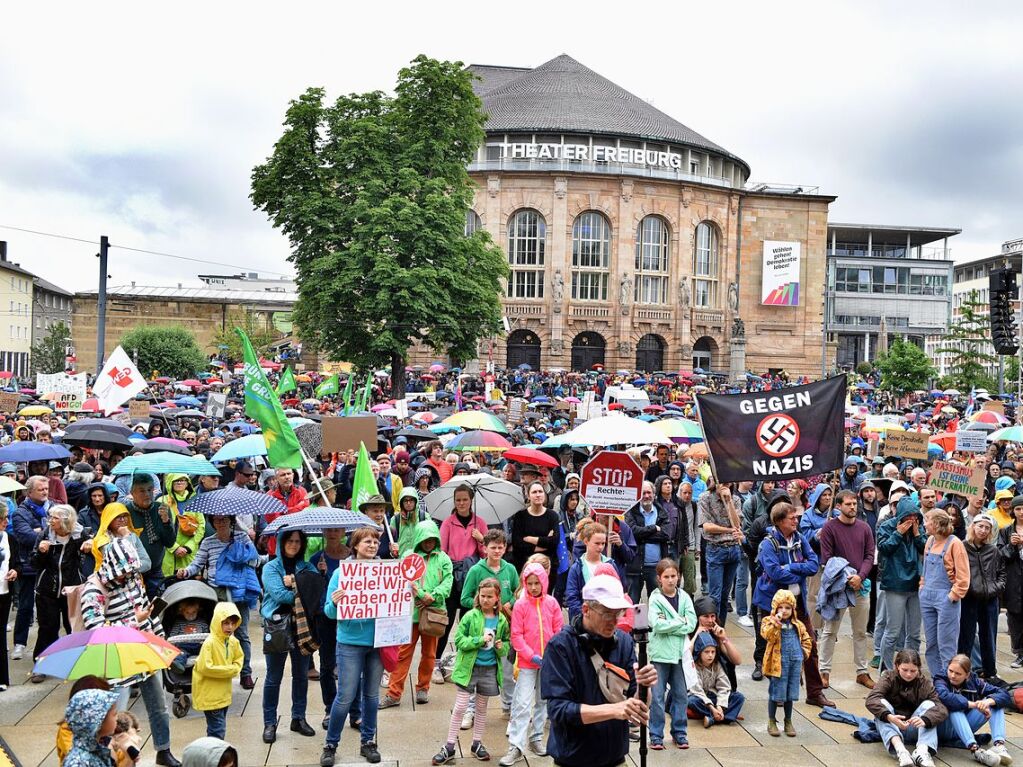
[{"x": 374, "y": 590}]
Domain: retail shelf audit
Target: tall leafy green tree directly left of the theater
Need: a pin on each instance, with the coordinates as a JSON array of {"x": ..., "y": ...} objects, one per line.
[{"x": 373, "y": 193}]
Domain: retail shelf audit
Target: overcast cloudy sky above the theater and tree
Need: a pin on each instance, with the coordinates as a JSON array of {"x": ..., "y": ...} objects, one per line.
[{"x": 144, "y": 121}]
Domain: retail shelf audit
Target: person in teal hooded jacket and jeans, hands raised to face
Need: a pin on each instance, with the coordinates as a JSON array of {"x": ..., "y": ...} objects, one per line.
[{"x": 901, "y": 543}]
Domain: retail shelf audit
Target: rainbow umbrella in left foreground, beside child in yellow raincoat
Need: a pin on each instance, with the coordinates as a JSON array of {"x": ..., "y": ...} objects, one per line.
[{"x": 110, "y": 653}]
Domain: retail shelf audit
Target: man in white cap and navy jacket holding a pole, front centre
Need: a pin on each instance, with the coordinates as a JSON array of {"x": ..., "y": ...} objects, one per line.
[{"x": 589, "y": 680}]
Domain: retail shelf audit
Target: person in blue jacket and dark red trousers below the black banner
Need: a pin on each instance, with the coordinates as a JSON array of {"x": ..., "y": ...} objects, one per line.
[{"x": 787, "y": 561}]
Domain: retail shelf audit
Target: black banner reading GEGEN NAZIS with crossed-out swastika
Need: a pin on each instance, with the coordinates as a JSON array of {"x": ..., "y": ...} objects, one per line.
[{"x": 779, "y": 435}]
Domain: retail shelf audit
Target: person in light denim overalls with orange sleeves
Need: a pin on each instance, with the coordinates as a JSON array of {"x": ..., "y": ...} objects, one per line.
[{"x": 940, "y": 597}]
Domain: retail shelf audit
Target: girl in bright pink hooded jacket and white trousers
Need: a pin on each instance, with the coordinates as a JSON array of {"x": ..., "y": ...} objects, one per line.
[{"x": 536, "y": 618}]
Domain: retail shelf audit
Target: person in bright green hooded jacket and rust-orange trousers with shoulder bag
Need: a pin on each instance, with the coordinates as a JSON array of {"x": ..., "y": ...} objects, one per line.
[{"x": 432, "y": 590}]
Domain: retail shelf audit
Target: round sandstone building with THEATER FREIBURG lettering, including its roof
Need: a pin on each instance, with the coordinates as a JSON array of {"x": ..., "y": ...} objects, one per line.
[{"x": 636, "y": 243}]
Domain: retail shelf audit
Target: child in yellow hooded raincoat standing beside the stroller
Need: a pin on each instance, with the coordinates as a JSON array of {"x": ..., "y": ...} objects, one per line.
[{"x": 219, "y": 662}]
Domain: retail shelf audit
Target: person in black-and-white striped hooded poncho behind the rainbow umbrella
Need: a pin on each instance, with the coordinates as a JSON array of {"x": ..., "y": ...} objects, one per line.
[{"x": 116, "y": 596}]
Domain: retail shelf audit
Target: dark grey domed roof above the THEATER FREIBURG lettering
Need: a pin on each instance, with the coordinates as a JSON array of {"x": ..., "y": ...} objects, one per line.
[{"x": 562, "y": 96}]
